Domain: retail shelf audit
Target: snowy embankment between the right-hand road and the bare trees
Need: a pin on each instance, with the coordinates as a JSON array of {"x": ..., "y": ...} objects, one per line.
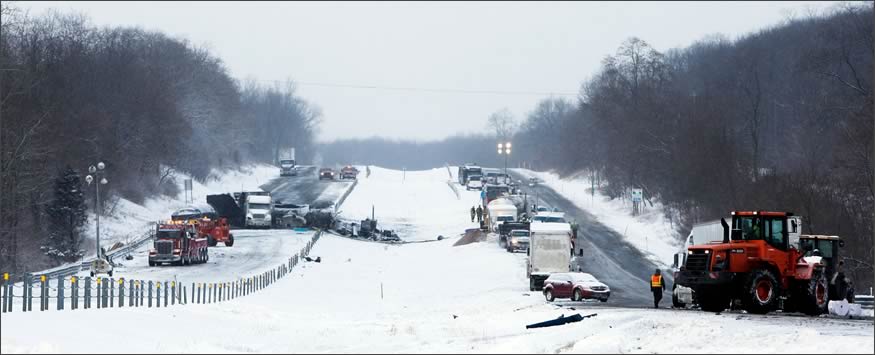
[{"x": 650, "y": 231}]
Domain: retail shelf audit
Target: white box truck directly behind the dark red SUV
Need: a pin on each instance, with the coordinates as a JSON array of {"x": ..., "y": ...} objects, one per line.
[{"x": 549, "y": 252}]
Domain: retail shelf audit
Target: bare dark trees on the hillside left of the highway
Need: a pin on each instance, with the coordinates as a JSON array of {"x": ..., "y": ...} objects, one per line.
[{"x": 146, "y": 104}]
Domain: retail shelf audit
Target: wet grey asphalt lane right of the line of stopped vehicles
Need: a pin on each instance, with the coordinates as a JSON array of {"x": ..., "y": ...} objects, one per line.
[{"x": 605, "y": 254}]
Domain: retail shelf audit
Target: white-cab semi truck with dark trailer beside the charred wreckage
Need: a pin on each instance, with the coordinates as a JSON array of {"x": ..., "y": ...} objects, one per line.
[{"x": 251, "y": 209}]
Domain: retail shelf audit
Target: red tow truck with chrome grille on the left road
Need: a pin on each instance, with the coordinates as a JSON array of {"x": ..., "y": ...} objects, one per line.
[{"x": 178, "y": 243}]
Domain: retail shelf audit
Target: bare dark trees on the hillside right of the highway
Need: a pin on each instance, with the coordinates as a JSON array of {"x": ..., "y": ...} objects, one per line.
[{"x": 780, "y": 119}]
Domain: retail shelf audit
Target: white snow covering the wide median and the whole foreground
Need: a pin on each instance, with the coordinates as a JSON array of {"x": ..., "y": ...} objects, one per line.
[{"x": 423, "y": 298}]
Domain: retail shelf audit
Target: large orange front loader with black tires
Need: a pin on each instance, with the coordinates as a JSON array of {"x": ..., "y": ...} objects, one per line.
[{"x": 760, "y": 262}]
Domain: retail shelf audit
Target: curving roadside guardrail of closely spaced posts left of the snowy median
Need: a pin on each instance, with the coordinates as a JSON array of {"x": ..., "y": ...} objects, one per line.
[{"x": 74, "y": 294}]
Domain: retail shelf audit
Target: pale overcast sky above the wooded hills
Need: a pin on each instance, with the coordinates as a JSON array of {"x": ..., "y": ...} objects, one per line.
[{"x": 529, "y": 49}]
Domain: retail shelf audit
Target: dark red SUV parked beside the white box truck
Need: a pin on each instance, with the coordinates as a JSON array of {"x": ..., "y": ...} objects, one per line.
[{"x": 575, "y": 285}]
